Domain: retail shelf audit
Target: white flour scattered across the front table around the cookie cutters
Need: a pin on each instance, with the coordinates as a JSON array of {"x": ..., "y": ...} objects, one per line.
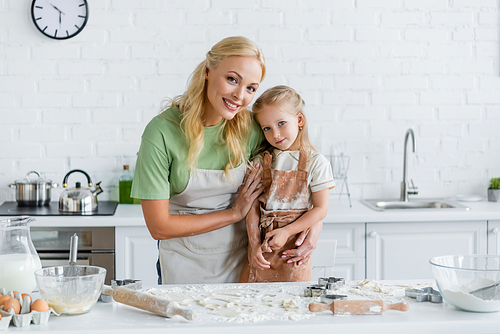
[{"x": 269, "y": 301}]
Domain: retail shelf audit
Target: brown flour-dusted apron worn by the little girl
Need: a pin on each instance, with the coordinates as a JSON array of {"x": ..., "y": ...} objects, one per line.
[{"x": 289, "y": 188}]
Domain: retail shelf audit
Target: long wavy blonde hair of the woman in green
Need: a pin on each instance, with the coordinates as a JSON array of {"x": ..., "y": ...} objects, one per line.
[{"x": 192, "y": 102}]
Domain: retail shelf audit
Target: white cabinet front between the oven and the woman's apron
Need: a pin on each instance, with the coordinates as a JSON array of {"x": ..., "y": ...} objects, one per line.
[{"x": 136, "y": 254}]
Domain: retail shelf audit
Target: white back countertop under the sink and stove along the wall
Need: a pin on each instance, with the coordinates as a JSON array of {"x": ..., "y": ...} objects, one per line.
[{"x": 338, "y": 212}]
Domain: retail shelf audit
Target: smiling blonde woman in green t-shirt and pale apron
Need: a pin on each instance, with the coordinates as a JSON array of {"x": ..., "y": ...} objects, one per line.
[{"x": 191, "y": 169}]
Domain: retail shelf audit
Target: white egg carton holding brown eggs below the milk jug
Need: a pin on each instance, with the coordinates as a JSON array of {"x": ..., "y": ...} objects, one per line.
[{"x": 25, "y": 317}]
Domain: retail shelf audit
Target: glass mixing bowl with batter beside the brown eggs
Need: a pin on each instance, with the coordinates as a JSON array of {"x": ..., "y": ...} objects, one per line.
[{"x": 70, "y": 290}]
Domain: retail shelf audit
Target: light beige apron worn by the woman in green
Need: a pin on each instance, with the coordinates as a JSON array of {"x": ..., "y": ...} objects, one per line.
[{"x": 212, "y": 257}]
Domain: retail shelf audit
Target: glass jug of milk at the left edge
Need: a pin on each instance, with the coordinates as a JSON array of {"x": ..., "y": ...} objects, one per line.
[{"x": 18, "y": 257}]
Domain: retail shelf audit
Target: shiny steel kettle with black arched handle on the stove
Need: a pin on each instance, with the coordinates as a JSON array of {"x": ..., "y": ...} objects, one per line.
[{"x": 78, "y": 199}]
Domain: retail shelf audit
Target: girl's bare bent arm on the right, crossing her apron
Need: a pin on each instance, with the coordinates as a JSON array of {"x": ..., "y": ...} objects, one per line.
[{"x": 319, "y": 201}]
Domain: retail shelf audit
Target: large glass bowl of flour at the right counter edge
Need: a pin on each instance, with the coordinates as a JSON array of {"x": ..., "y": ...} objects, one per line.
[{"x": 461, "y": 279}]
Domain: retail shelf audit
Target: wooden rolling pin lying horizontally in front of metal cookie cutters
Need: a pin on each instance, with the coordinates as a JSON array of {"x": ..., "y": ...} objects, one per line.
[{"x": 346, "y": 307}]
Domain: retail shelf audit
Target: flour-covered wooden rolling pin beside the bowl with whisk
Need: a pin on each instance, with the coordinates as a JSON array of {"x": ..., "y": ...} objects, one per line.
[{"x": 144, "y": 301}]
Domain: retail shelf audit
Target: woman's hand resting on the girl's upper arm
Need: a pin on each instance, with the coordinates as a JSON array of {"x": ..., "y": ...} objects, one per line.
[{"x": 247, "y": 193}]
